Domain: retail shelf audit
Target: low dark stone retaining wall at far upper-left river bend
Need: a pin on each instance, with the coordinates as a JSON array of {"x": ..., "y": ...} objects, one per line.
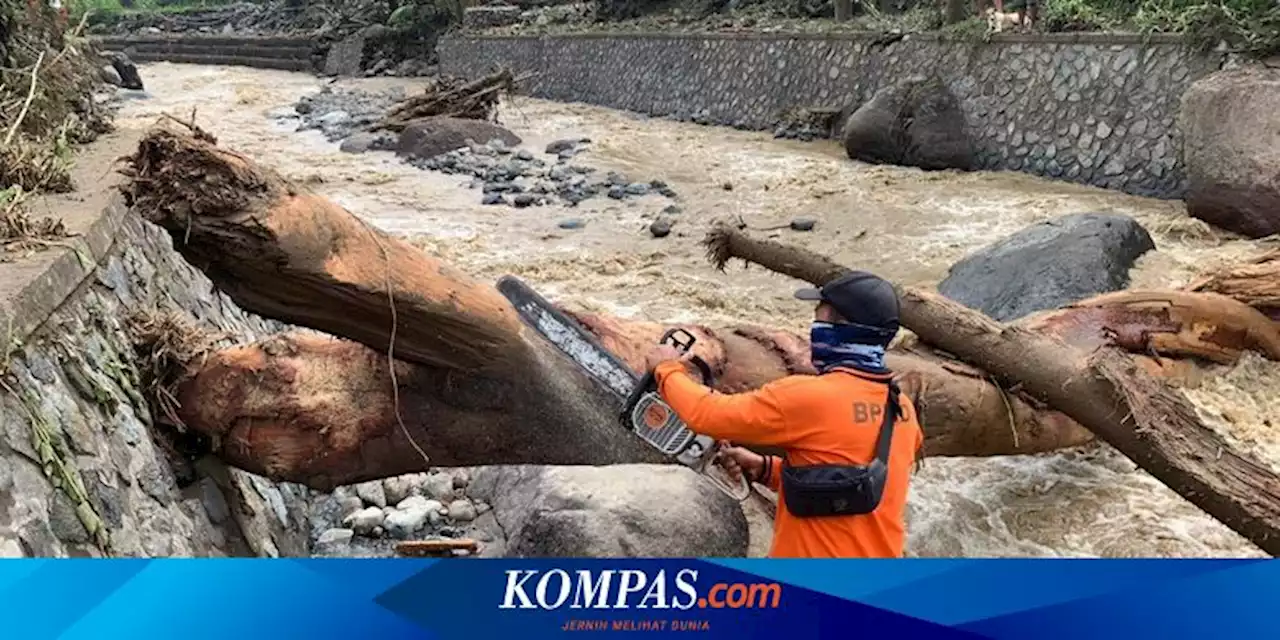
[{"x": 267, "y": 53}]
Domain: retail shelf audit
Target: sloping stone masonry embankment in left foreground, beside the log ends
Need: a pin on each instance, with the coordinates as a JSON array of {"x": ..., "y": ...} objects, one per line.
[{"x": 79, "y": 444}]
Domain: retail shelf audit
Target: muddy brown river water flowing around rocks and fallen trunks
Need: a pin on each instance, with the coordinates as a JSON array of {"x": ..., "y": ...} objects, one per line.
[{"x": 902, "y": 223}]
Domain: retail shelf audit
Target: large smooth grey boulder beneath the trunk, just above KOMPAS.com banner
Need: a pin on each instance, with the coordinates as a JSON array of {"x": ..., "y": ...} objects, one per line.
[{"x": 616, "y": 511}]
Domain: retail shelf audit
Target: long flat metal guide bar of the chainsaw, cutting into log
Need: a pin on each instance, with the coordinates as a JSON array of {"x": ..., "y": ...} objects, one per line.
[{"x": 570, "y": 337}]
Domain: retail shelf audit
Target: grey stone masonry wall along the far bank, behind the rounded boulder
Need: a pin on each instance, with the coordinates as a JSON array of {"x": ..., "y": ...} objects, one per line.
[{"x": 1085, "y": 108}]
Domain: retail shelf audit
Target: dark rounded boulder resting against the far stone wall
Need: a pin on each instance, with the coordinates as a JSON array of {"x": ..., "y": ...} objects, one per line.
[{"x": 916, "y": 122}]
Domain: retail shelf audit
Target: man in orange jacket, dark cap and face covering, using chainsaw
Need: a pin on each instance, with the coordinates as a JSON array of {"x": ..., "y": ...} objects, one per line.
[{"x": 851, "y": 440}]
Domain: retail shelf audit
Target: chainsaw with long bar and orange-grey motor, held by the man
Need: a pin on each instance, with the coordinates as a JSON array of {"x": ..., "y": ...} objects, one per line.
[{"x": 643, "y": 412}]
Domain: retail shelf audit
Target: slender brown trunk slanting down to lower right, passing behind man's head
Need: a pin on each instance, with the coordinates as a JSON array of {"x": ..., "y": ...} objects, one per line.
[{"x": 1103, "y": 390}]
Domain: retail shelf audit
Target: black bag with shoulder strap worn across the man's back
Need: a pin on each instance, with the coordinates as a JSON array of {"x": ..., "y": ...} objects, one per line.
[{"x": 819, "y": 491}]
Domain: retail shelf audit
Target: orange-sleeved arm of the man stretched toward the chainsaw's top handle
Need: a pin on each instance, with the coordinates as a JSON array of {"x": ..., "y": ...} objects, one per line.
[{"x": 755, "y": 418}]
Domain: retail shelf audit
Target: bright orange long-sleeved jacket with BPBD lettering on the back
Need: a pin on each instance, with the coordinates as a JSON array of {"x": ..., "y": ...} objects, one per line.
[{"x": 817, "y": 419}]
